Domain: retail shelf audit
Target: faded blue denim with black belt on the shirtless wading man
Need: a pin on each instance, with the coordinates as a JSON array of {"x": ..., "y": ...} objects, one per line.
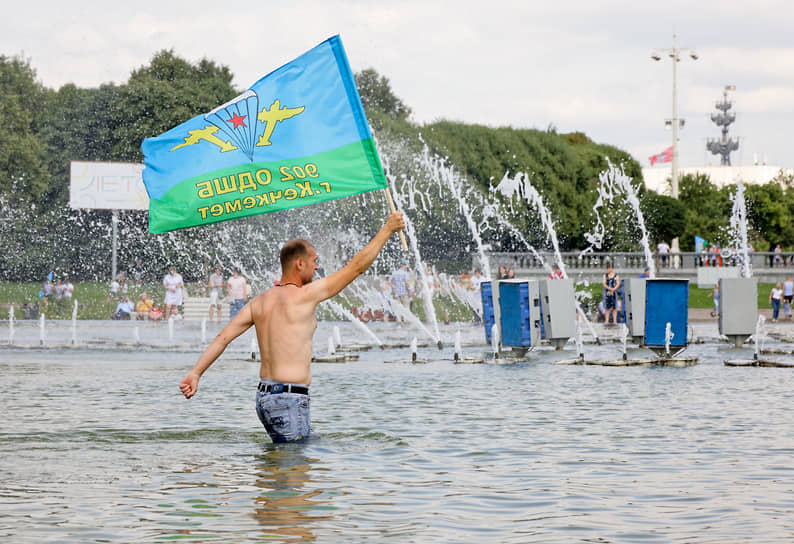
[{"x": 284, "y": 415}]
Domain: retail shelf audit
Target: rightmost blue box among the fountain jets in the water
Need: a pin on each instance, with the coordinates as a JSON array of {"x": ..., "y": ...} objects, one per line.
[{"x": 666, "y": 301}]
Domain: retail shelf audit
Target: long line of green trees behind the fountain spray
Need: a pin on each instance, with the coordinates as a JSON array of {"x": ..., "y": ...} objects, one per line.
[{"x": 46, "y": 129}]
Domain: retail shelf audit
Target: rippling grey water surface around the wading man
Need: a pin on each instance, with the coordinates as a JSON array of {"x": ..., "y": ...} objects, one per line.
[{"x": 97, "y": 445}]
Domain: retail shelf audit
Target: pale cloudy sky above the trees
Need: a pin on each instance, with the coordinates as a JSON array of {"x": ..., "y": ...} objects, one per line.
[{"x": 572, "y": 65}]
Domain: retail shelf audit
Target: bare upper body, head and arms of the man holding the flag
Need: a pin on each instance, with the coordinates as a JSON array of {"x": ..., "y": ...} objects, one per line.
[{"x": 284, "y": 315}]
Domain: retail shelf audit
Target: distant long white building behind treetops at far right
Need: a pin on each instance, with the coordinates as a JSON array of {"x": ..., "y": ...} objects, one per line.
[{"x": 658, "y": 179}]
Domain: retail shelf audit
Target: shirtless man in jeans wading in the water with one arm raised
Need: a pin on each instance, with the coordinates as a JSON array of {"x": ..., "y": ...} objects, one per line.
[{"x": 285, "y": 323}]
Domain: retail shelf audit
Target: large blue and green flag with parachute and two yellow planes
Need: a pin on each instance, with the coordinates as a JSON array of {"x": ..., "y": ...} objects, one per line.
[{"x": 298, "y": 136}]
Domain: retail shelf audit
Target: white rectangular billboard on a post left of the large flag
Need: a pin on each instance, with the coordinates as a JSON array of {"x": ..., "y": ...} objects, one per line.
[{"x": 107, "y": 186}]
